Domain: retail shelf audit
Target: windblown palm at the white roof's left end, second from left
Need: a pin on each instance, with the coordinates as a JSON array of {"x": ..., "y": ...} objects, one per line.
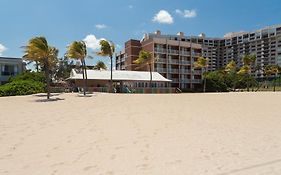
[{"x": 78, "y": 50}]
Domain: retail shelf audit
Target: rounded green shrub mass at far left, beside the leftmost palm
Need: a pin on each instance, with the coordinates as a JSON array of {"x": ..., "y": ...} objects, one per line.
[{"x": 22, "y": 87}]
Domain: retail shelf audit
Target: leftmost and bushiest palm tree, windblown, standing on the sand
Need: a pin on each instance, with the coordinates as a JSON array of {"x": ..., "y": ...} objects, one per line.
[{"x": 39, "y": 51}]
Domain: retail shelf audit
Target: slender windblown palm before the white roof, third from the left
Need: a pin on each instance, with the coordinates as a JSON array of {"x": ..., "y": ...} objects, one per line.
[{"x": 107, "y": 49}]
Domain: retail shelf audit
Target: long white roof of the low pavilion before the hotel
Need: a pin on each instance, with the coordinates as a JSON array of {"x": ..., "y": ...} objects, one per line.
[{"x": 118, "y": 75}]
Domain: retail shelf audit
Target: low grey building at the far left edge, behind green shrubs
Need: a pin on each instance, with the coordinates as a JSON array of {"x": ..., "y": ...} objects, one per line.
[{"x": 10, "y": 67}]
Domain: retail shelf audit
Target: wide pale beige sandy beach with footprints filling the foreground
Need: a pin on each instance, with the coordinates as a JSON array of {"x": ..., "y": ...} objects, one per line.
[{"x": 119, "y": 134}]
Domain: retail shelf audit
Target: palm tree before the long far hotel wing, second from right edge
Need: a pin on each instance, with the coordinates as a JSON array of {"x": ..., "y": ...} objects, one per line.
[{"x": 248, "y": 61}]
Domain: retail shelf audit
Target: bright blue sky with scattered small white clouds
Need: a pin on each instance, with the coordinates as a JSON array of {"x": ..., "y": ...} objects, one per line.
[{"x": 63, "y": 21}]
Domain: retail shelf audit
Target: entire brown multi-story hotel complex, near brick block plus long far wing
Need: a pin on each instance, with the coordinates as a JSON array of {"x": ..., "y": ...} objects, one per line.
[{"x": 174, "y": 55}]
